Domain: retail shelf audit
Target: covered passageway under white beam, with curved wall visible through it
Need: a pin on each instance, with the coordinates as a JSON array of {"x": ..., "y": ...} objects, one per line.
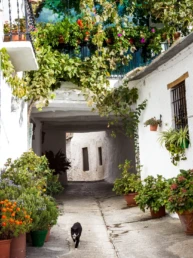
[{"x": 93, "y": 152}]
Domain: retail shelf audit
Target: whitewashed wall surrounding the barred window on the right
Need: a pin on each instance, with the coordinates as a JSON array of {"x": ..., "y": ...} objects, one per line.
[{"x": 154, "y": 158}]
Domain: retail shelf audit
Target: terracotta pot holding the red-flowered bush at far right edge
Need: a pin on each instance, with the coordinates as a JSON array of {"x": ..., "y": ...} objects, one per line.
[{"x": 186, "y": 219}]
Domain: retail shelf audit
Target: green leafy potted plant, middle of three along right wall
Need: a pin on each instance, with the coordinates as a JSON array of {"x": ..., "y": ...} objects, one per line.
[{"x": 151, "y": 195}]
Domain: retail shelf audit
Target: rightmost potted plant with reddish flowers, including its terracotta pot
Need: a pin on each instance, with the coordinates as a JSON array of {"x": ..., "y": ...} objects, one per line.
[{"x": 180, "y": 198}]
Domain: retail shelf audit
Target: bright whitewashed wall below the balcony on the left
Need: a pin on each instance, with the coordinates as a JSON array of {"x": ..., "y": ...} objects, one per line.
[{"x": 13, "y": 134}]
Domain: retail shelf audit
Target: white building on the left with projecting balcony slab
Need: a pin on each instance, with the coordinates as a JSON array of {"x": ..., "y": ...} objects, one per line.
[{"x": 13, "y": 112}]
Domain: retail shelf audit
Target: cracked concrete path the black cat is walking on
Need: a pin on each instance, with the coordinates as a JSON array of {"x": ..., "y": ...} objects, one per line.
[{"x": 111, "y": 229}]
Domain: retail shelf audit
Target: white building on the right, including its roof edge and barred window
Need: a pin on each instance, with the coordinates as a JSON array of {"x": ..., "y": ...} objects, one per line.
[{"x": 171, "y": 72}]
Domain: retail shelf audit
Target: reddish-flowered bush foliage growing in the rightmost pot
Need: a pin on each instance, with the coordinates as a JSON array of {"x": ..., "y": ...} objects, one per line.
[{"x": 180, "y": 192}]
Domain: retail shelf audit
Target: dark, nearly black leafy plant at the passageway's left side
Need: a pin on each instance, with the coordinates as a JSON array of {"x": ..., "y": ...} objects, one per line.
[{"x": 58, "y": 162}]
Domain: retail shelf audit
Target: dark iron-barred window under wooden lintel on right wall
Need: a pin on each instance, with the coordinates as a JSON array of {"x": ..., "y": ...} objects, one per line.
[{"x": 179, "y": 105}]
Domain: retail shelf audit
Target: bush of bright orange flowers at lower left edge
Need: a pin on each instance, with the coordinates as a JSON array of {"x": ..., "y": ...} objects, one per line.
[{"x": 14, "y": 219}]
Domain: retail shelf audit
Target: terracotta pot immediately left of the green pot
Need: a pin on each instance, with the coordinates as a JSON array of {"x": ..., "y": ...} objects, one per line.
[{"x": 18, "y": 247}]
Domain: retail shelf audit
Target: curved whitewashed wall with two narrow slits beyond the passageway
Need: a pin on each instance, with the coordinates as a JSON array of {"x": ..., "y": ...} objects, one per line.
[{"x": 114, "y": 152}]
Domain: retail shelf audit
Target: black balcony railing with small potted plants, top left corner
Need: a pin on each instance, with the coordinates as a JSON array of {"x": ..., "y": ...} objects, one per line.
[{"x": 19, "y": 20}]
